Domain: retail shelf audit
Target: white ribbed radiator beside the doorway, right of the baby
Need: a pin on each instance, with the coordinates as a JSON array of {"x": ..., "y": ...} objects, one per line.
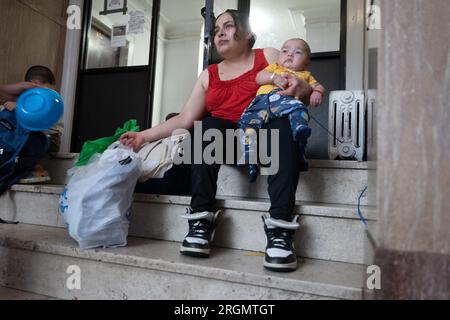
[{"x": 347, "y": 125}]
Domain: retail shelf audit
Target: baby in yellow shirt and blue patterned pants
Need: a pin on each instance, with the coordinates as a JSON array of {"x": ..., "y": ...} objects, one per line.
[{"x": 292, "y": 62}]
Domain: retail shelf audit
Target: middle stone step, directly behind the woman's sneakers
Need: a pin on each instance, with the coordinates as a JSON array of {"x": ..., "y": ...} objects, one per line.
[{"x": 328, "y": 232}]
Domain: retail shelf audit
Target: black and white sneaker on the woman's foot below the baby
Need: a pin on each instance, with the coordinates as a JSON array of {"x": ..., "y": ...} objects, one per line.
[{"x": 280, "y": 253}]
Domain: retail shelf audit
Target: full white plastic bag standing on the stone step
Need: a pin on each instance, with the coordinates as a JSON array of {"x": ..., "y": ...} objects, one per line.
[{"x": 96, "y": 202}]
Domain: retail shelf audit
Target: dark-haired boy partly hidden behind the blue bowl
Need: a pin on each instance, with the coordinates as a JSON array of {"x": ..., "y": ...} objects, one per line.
[{"x": 43, "y": 77}]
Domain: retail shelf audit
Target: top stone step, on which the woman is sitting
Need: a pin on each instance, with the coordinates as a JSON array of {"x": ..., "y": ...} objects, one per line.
[{"x": 327, "y": 181}]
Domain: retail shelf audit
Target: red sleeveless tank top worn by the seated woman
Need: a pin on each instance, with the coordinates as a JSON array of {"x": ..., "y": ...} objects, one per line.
[{"x": 228, "y": 99}]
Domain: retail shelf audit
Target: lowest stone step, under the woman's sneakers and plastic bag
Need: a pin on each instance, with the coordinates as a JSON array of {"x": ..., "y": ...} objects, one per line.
[{"x": 37, "y": 259}]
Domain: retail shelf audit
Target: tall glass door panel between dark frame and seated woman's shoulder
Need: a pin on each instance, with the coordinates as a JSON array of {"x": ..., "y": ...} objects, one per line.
[{"x": 180, "y": 55}]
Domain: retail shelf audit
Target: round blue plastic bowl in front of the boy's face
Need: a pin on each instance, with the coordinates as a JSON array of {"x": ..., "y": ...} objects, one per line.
[{"x": 39, "y": 109}]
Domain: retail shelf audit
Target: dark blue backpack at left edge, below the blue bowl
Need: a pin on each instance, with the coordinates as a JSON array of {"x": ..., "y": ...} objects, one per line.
[{"x": 12, "y": 139}]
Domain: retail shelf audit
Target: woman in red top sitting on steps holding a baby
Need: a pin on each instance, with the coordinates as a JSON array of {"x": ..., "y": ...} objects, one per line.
[{"x": 224, "y": 90}]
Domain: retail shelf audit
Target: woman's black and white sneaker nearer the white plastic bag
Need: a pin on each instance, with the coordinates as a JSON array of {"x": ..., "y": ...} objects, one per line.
[{"x": 201, "y": 233}]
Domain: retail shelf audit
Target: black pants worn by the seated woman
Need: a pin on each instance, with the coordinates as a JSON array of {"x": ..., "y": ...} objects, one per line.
[{"x": 281, "y": 186}]
